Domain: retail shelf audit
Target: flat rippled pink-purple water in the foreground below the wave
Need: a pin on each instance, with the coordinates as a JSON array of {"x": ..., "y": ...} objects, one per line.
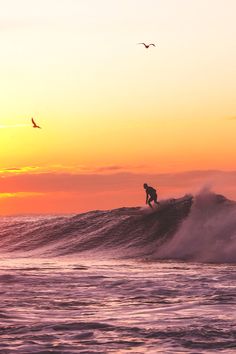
[{"x": 84, "y": 306}]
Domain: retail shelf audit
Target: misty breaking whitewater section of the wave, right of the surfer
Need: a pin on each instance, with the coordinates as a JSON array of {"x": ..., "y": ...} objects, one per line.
[{"x": 208, "y": 234}]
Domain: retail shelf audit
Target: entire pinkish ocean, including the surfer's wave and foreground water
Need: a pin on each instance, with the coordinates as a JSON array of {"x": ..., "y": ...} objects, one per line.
[{"x": 128, "y": 280}]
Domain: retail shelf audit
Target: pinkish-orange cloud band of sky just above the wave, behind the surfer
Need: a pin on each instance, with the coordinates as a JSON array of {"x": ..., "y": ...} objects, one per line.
[{"x": 66, "y": 192}]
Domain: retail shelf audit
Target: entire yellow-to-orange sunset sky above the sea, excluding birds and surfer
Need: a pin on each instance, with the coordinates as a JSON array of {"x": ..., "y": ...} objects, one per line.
[{"x": 113, "y": 114}]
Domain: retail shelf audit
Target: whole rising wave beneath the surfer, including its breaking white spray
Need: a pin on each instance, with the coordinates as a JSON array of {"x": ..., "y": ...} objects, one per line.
[{"x": 202, "y": 229}]
